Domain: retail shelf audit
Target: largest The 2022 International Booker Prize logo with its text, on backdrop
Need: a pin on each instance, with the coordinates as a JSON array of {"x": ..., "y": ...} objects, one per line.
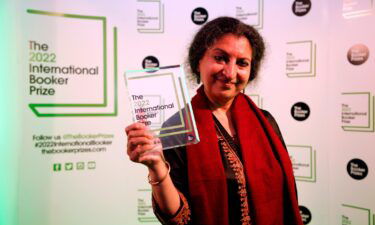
[{"x": 56, "y": 74}]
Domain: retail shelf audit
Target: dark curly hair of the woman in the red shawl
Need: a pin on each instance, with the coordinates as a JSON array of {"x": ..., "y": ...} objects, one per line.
[{"x": 217, "y": 28}]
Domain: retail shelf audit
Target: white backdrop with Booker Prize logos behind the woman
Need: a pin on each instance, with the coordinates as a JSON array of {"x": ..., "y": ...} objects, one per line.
[{"x": 65, "y": 102}]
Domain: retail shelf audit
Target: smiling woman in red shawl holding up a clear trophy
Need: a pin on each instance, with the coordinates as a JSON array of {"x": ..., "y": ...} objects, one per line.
[{"x": 240, "y": 172}]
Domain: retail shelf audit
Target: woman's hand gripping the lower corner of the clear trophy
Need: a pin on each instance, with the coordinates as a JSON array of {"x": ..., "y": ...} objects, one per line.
[{"x": 143, "y": 147}]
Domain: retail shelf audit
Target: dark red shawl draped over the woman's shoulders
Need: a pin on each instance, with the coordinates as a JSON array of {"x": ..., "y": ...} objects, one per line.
[{"x": 268, "y": 170}]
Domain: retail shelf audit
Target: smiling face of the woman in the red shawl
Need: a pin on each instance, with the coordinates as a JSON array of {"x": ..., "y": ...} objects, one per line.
[{"x": 225, "y": 68}]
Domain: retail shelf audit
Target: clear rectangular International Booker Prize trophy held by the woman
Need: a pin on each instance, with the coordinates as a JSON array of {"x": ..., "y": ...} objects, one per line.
[{"x": 159, "y": 99}]
